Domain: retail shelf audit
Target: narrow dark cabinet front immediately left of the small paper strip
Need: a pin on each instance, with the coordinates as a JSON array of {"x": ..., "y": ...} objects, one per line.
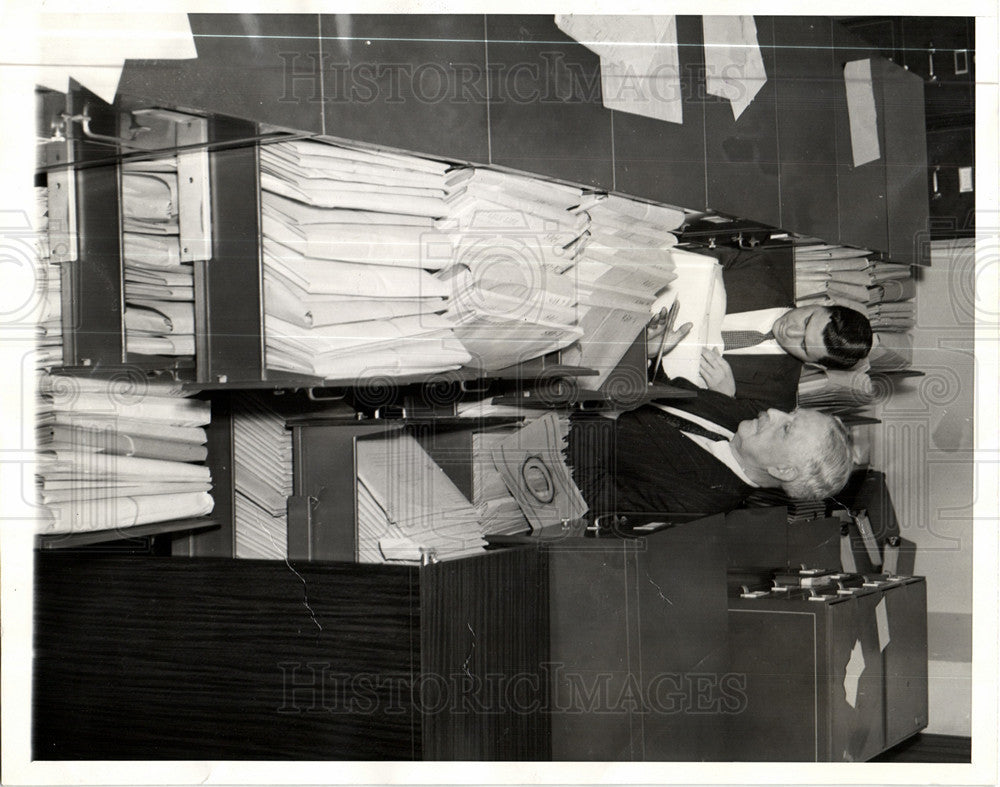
[{"x": 807, "y": 141}]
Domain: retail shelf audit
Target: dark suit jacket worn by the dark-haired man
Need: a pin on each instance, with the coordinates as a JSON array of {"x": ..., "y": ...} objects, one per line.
[{"x": 760, "y": 279}]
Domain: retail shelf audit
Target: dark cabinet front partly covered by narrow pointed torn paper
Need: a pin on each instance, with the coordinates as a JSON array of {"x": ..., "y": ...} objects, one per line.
[{"x": 742, "y": 154}]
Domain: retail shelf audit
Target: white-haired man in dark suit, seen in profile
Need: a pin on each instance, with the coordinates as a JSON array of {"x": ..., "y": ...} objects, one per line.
[{"x": 701, "y": 455}]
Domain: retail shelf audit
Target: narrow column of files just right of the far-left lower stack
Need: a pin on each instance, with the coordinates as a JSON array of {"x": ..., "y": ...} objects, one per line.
[{"x": 262, "y": 476}]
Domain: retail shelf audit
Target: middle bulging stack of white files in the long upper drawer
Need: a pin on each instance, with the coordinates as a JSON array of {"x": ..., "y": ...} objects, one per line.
[{"x": 511, "y": 239}]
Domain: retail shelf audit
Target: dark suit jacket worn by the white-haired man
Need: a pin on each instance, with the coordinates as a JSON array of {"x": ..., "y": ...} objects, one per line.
[{"x": 641, "y": 463}]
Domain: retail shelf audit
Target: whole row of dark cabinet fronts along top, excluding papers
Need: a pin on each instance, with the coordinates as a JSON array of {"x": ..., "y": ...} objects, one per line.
[{"x": 517, "y": 92}]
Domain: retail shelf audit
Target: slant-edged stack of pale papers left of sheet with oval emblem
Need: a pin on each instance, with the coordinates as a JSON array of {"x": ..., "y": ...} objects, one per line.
[{"x": 407, "y": 506}]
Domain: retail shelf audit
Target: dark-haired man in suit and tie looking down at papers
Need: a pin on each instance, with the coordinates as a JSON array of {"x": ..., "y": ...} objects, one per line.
[{"x": 766, "y": 338}]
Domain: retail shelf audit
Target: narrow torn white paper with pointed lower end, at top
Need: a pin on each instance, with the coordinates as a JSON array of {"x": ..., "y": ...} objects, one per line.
[{"x": 734, "y": 68}]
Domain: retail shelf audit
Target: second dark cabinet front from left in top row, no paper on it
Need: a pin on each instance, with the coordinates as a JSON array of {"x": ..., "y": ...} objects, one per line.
[{"x": 416, "y": 82}]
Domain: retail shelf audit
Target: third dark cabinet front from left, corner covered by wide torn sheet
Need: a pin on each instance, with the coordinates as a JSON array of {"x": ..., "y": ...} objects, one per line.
[{"x": 546, "y": 111}]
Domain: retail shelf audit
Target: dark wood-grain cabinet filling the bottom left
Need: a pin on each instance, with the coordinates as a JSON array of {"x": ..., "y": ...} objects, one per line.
[{"x": 206, "y": 658}]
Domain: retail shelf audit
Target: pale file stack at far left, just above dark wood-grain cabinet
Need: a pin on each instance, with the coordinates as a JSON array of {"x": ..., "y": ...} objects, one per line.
[{"x": 114, "y": 454}]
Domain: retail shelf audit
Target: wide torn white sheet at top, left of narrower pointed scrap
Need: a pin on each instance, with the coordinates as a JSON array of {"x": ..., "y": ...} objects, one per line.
[{"x": 640, "y": 68}]
